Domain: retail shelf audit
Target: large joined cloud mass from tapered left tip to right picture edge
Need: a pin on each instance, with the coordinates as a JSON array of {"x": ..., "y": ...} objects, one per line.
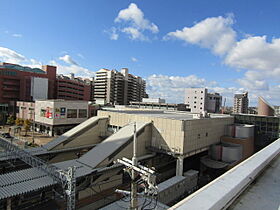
[{"x": 257, "y": 56}]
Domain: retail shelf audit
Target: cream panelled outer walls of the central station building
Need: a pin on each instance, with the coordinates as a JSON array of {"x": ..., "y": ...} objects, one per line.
[{"x": 176, "y": 135}]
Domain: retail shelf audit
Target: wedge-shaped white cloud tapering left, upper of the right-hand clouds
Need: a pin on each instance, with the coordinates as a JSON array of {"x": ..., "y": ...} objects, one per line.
[{"x": 214, "y": 33}]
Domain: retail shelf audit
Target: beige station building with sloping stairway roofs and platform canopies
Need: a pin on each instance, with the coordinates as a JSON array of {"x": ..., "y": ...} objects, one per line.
[{"x": 88, "y": 154}]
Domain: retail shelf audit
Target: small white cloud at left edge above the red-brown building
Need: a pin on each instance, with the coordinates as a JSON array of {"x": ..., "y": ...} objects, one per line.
[{"x": 10, "y": 56}]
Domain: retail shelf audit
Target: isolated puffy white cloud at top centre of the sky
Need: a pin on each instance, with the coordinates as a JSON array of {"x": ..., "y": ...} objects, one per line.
[{"x": 134, "y": 24}]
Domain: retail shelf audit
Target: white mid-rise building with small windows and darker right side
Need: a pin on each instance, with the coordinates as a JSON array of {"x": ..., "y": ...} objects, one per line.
[{"x": 199, "y": 100}]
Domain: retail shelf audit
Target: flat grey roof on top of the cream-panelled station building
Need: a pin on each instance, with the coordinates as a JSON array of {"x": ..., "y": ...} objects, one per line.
[{"x": 165, "y": 114}]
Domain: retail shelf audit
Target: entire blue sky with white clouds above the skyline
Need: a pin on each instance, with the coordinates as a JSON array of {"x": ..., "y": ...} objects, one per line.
[{"x": 227, "y": 46}]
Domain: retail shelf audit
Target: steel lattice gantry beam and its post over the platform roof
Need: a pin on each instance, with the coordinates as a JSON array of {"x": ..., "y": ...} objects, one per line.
[{"x": 66, "y": 178}]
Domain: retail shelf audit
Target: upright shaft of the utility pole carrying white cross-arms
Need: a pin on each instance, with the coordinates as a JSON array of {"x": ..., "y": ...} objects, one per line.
[{"x": 134, "y": 202}]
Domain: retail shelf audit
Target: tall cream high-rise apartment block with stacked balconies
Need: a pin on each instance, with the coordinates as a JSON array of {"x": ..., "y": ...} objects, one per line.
[{"x": 113, "y": 87}]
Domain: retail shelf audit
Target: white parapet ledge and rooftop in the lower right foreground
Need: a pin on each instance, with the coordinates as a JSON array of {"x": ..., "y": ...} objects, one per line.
[{"x": 252, "y": 184}]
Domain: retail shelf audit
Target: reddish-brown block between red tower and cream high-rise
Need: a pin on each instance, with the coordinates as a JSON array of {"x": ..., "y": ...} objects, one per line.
[{"x": 74, "y": 88}]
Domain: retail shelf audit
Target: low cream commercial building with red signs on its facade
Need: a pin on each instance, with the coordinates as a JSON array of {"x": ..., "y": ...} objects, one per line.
[{"x": 58, "y": 116}]
